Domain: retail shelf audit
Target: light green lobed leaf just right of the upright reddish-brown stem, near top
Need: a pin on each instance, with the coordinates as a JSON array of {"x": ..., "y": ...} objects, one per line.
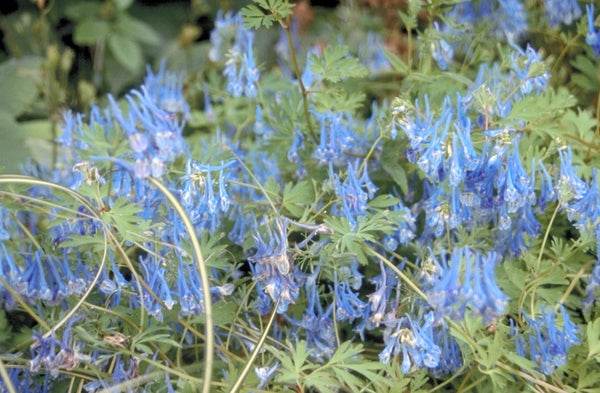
[{"x": 336, "y": 64}]
